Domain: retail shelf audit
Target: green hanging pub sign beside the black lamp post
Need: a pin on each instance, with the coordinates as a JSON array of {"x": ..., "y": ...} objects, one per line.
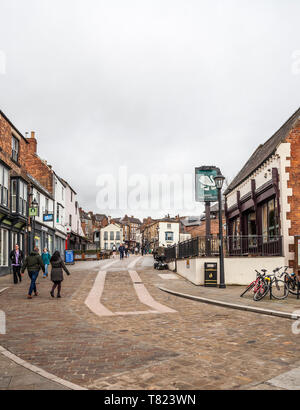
[{"x": 205, "y": 188}]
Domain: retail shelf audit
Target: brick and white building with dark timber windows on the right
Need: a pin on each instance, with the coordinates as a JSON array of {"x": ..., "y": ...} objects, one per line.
[{"x": 262, "y": 202}]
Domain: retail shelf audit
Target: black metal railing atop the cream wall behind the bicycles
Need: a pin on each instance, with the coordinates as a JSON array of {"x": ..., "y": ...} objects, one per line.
[{"x": 203, "y": 246}]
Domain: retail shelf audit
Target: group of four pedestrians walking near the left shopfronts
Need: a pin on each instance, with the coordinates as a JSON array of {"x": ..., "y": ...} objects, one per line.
[{"x": 34, "y": 263}]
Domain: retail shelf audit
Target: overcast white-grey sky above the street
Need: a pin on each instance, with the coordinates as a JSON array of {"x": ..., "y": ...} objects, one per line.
[{"x": 157, "y": 86}]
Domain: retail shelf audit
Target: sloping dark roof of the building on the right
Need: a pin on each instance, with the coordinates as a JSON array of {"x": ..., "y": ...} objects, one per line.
[{"x": 263, "y": 152}]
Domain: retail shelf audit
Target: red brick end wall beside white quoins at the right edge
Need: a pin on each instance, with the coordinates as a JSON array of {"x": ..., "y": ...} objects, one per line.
[{"x": 294, "y": 182}]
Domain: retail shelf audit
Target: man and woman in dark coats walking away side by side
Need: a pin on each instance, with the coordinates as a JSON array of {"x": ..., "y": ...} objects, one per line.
[{"x": 34, "y": 263}]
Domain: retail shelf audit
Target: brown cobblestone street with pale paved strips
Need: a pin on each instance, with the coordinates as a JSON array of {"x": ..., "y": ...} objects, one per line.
[{"x": 183, "y": 345}]
